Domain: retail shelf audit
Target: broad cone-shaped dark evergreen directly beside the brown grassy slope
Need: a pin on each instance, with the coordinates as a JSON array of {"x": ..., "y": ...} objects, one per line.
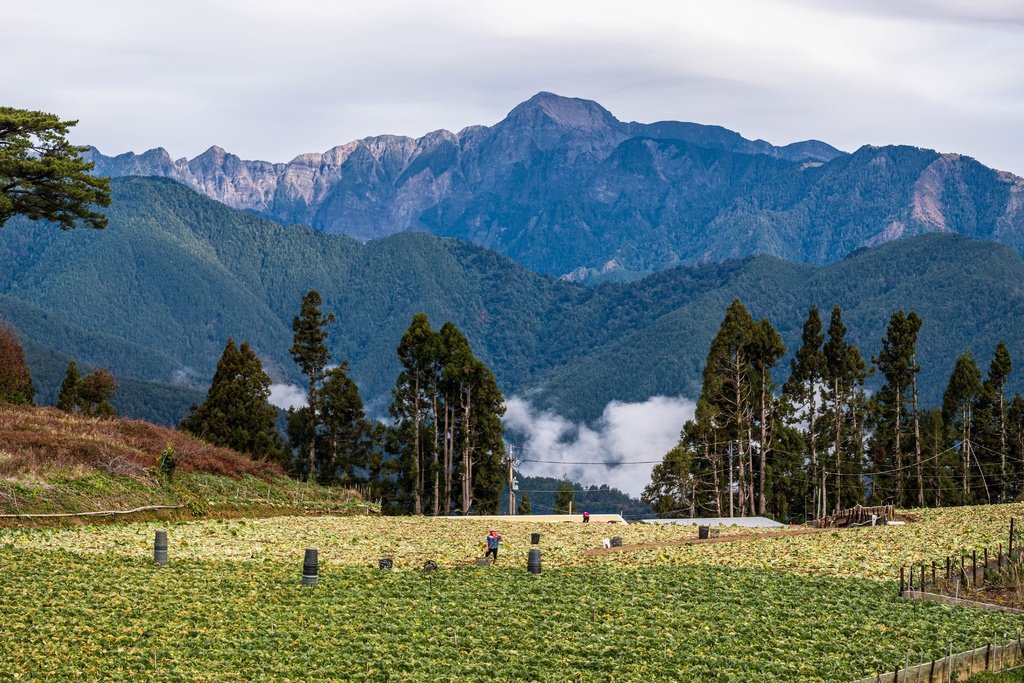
[{"x": 236, "y": 413}]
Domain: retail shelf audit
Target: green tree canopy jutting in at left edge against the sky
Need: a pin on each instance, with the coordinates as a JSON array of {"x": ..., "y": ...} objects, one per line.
[{"x": 44, "y": 177}]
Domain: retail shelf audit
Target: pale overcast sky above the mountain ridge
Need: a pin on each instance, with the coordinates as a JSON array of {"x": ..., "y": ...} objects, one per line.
[{"x": 269, "y": 79}]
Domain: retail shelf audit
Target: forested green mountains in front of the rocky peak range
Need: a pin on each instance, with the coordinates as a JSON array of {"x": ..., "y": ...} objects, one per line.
[{"x": 155, "y": 296}]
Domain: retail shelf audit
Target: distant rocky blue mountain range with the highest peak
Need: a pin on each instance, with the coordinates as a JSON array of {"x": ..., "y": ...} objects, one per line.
[{"x": 564, "y": 188}]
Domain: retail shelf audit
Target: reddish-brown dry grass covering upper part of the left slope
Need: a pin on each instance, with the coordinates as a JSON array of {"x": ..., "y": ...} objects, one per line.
[{"x": 37, "y": 441}]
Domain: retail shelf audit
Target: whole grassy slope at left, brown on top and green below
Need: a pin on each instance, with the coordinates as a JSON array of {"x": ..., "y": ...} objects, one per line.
[{"x": 53, "y": 462}]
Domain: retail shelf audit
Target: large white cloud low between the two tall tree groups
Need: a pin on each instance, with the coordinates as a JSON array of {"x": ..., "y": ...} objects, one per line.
[{"x": 625, "y": 434}]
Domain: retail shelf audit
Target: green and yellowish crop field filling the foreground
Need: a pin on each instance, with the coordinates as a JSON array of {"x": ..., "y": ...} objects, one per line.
[{"x": 88, "y": 603}]
